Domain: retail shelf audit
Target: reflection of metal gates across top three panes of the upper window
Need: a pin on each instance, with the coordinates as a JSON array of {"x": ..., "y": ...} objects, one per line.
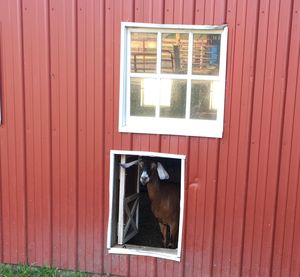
[{"x": 174, "y": 53}]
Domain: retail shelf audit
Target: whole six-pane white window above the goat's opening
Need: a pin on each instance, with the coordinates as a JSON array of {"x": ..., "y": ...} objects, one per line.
[{"x": 172, "y": 79}]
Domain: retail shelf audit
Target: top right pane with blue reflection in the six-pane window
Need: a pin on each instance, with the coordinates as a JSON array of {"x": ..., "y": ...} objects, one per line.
[{"x": 206, "y": 54}]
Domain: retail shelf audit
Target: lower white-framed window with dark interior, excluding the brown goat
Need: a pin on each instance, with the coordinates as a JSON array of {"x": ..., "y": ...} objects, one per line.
[{"x": 133, "y": 228}]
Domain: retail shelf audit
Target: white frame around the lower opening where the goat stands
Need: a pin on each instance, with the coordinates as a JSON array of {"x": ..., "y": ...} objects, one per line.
[{"x": 113, "y": 246}]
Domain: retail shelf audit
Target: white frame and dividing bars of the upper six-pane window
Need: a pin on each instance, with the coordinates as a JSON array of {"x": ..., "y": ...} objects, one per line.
[{"x": 159, "y": 125}]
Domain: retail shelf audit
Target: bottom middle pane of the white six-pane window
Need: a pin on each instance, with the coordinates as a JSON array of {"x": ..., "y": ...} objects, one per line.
[{"x": 172, "y": 98}]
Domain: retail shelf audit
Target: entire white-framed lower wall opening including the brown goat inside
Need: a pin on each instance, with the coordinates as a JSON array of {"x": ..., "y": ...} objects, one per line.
[{"x": 146, "y": 215}]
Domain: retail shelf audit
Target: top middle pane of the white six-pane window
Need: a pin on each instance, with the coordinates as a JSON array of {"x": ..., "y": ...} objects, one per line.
[{"x": 174, "y": 53}]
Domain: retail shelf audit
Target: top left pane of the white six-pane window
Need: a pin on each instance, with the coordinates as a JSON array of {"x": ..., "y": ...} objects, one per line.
[{"x": 143, "y": 52}]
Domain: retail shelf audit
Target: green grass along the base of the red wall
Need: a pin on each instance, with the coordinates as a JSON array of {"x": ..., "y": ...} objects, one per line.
[{"x": 28, "y": 271}]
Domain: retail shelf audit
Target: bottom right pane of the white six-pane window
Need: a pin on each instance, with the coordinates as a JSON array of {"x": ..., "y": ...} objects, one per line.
[{"x": 204, "y": 100}]
